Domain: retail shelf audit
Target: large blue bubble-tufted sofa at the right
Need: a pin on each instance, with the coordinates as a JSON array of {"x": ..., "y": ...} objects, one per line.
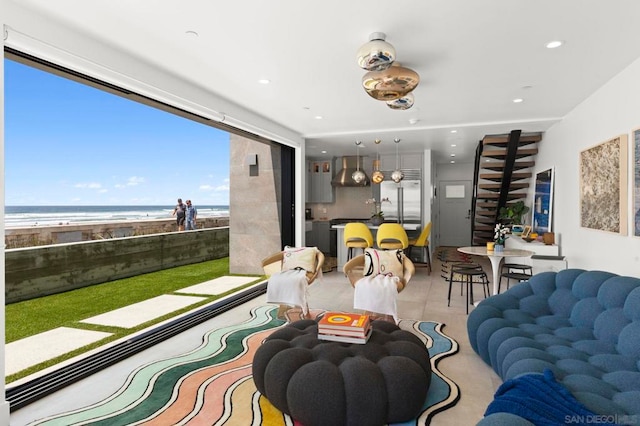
[{"x": 584, "y": 326}]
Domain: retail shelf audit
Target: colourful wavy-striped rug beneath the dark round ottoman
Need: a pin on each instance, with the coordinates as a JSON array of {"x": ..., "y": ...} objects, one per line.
[{"x": 212, "y": 384}]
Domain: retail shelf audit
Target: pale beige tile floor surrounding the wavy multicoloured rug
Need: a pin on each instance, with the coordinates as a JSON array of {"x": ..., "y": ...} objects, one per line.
[{"x": 425, "y": 298}]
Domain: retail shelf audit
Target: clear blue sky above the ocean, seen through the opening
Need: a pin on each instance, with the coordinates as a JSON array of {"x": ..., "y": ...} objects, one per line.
[{"x": 70, "y": 144}]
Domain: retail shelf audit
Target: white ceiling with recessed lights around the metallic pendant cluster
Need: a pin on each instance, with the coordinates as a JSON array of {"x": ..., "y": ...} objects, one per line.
[{"x": 474, "y": 58}]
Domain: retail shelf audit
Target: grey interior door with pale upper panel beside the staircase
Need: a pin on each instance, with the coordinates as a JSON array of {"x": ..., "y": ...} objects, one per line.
[{"x": 455, "y": 198}]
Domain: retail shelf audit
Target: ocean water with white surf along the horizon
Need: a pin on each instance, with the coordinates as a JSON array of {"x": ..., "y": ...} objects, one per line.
[{"x": 19, "y": 216}]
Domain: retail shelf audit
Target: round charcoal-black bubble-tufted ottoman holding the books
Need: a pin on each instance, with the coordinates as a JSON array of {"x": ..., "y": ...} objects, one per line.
[{"x": 318, "y": 382}]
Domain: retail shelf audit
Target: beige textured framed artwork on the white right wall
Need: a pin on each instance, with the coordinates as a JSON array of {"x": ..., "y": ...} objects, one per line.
[{"x": 603, "y": 186}]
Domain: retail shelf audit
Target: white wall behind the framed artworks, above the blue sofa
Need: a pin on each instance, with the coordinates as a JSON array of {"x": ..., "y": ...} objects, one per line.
[{"x": 612, "y": 110}]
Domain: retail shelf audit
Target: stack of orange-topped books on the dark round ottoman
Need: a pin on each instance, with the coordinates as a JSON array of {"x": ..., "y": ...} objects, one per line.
[{"x": 344, "y": 327}]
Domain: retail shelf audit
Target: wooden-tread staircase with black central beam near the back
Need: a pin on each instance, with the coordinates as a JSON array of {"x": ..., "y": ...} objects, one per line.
[{"x": 503, "y": 173}]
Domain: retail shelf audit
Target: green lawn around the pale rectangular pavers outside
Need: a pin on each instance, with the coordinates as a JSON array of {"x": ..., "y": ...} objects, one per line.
[{"x": 24, "y": 319}]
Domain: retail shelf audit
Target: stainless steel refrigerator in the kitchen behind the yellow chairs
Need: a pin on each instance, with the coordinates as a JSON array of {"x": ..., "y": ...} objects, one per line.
[{"x": 405, "y": 201}]
